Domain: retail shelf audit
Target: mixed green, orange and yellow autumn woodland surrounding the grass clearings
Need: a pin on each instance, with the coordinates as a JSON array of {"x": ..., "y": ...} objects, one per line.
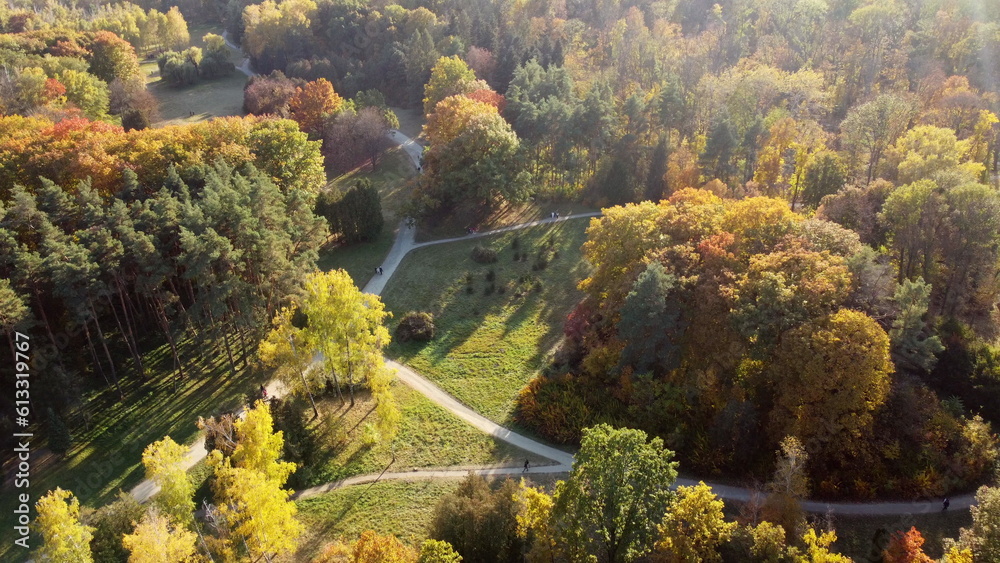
[{"x": 798, "y": 253}]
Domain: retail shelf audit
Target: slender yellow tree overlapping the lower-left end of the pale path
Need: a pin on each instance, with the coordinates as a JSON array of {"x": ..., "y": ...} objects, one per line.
[{"x": 164, "y": 462}]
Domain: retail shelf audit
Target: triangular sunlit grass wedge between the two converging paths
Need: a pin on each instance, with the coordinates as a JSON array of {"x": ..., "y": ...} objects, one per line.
[{"x": 429, "y": 436}]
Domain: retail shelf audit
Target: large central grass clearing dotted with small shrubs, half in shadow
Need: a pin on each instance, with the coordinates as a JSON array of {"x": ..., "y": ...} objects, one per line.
[{"x": 488, "y": 346}]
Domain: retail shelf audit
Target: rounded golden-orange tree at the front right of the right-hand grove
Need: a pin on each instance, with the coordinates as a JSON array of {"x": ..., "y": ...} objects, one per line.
[{"x": 830, "y": 376}]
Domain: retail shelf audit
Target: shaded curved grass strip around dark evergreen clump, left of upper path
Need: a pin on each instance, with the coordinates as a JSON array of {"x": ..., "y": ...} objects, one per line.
[{"x": 390, "y": 178}]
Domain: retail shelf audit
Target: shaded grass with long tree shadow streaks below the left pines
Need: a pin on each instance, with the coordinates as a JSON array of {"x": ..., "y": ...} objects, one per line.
[{"x": 108, "y": 437}]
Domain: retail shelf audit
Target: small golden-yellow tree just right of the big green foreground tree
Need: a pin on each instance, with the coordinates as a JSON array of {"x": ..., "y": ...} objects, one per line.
[{"x": 694, "y": 527}]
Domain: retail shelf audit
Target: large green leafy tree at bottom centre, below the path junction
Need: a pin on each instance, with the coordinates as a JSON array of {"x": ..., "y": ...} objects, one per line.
[{"x": 618, "y": 485}]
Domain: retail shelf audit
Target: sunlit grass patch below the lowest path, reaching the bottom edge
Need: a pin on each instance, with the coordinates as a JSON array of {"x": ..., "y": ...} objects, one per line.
[{"x": 401, "y": 508}]
